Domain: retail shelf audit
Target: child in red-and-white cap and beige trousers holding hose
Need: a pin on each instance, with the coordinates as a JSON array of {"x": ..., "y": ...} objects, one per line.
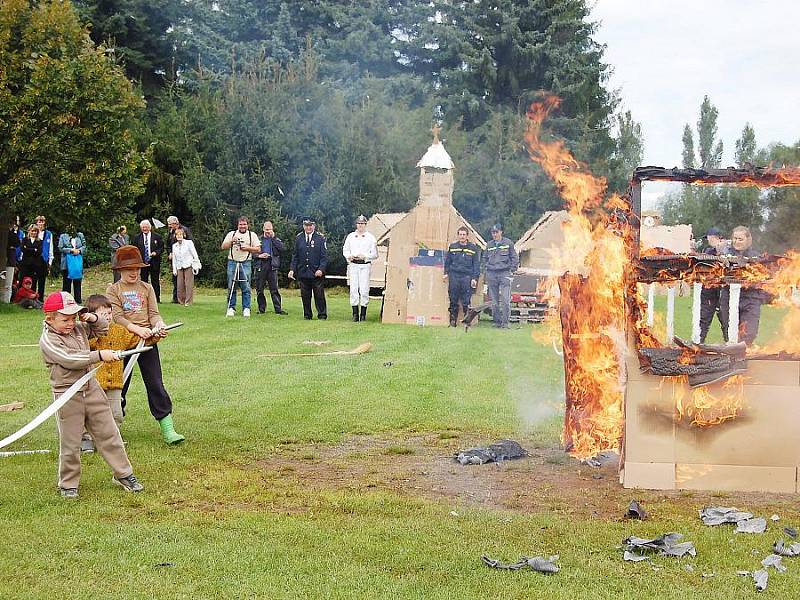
[{"x": 65, "y": 347}]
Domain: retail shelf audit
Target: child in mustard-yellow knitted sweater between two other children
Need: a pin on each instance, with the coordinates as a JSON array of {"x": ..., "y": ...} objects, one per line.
[{"x": 109, "y": 376}]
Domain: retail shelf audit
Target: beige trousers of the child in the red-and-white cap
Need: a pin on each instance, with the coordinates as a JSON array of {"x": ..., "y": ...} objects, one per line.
[{"x": 88, "y": 409}]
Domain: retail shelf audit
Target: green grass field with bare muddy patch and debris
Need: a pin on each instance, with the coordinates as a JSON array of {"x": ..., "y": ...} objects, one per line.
[{"x": 331, "y": 477}]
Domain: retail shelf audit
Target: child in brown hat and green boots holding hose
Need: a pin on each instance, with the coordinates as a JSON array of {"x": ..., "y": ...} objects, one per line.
[{"x": 134, "y": 306}]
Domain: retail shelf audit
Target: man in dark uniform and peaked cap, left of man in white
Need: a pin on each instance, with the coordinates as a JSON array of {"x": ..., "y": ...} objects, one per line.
[{"x": 308, "y": 265}]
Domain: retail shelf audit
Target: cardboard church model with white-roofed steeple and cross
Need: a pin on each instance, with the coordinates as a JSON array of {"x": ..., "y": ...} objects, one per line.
[{"x": 415, "y": 291}]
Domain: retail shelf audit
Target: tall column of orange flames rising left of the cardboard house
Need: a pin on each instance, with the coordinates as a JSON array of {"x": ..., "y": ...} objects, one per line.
[{"x": 592, "y": 295}]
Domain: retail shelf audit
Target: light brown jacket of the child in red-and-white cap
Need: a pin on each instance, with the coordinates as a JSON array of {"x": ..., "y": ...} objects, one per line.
[{"x": 67, "y": 355}]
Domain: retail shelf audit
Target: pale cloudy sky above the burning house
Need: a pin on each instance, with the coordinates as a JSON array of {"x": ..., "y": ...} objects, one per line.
[{"x": 666, "y": 55}]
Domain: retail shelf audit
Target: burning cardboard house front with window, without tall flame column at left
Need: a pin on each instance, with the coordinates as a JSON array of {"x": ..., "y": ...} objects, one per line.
[{"x": 707, "y": 417}]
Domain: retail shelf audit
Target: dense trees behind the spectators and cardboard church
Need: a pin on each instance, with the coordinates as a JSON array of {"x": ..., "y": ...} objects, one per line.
[{"x": 117, "y": 110}]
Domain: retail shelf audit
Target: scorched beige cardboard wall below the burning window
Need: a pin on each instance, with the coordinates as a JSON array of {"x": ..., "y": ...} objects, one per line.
[{"x": 755, "y": 451}]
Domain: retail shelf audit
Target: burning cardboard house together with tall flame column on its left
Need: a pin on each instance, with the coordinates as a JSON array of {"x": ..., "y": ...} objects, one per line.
[{"x": 682, "y": 415}]
